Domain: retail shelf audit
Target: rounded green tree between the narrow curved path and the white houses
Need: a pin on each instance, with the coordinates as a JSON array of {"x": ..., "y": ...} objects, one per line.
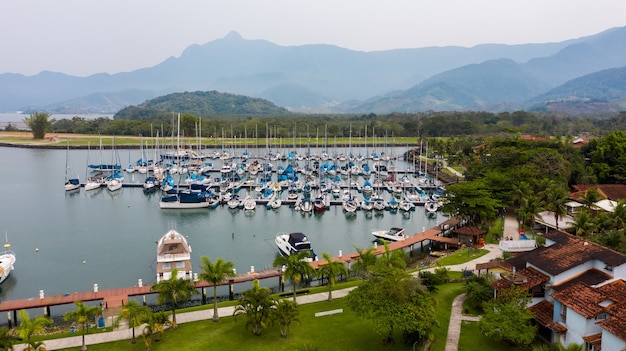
[{"x": 506, "y": 318}]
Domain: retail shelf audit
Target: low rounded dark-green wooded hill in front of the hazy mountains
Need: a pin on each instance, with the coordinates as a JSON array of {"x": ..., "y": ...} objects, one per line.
[{"x": 201, "y": 103}]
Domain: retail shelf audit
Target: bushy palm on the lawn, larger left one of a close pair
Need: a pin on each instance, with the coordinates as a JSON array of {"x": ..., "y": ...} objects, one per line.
[{"x": 257, "y": 305}]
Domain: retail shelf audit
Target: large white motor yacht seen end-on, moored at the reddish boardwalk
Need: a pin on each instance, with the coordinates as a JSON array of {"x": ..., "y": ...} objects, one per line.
[{"x": 173, "y": 252}]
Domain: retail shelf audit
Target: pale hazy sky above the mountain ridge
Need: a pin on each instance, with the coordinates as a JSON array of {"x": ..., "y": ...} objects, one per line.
[{"x": 82, "y": 37}]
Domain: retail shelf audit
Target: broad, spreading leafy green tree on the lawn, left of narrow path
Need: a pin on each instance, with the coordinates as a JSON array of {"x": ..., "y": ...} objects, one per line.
[{"x": 392, "y": 298}]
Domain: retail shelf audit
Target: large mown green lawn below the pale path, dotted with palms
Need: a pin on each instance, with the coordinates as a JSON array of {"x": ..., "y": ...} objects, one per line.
[{"x": 342, "y": 331}]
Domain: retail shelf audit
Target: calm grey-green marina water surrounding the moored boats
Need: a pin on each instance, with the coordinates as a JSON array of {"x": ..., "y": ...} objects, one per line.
[{"x": 67, "y": 242}]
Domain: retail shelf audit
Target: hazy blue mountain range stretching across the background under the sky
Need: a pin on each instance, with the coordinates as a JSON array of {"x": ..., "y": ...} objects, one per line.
[{"x": 329, "y": 78}]
